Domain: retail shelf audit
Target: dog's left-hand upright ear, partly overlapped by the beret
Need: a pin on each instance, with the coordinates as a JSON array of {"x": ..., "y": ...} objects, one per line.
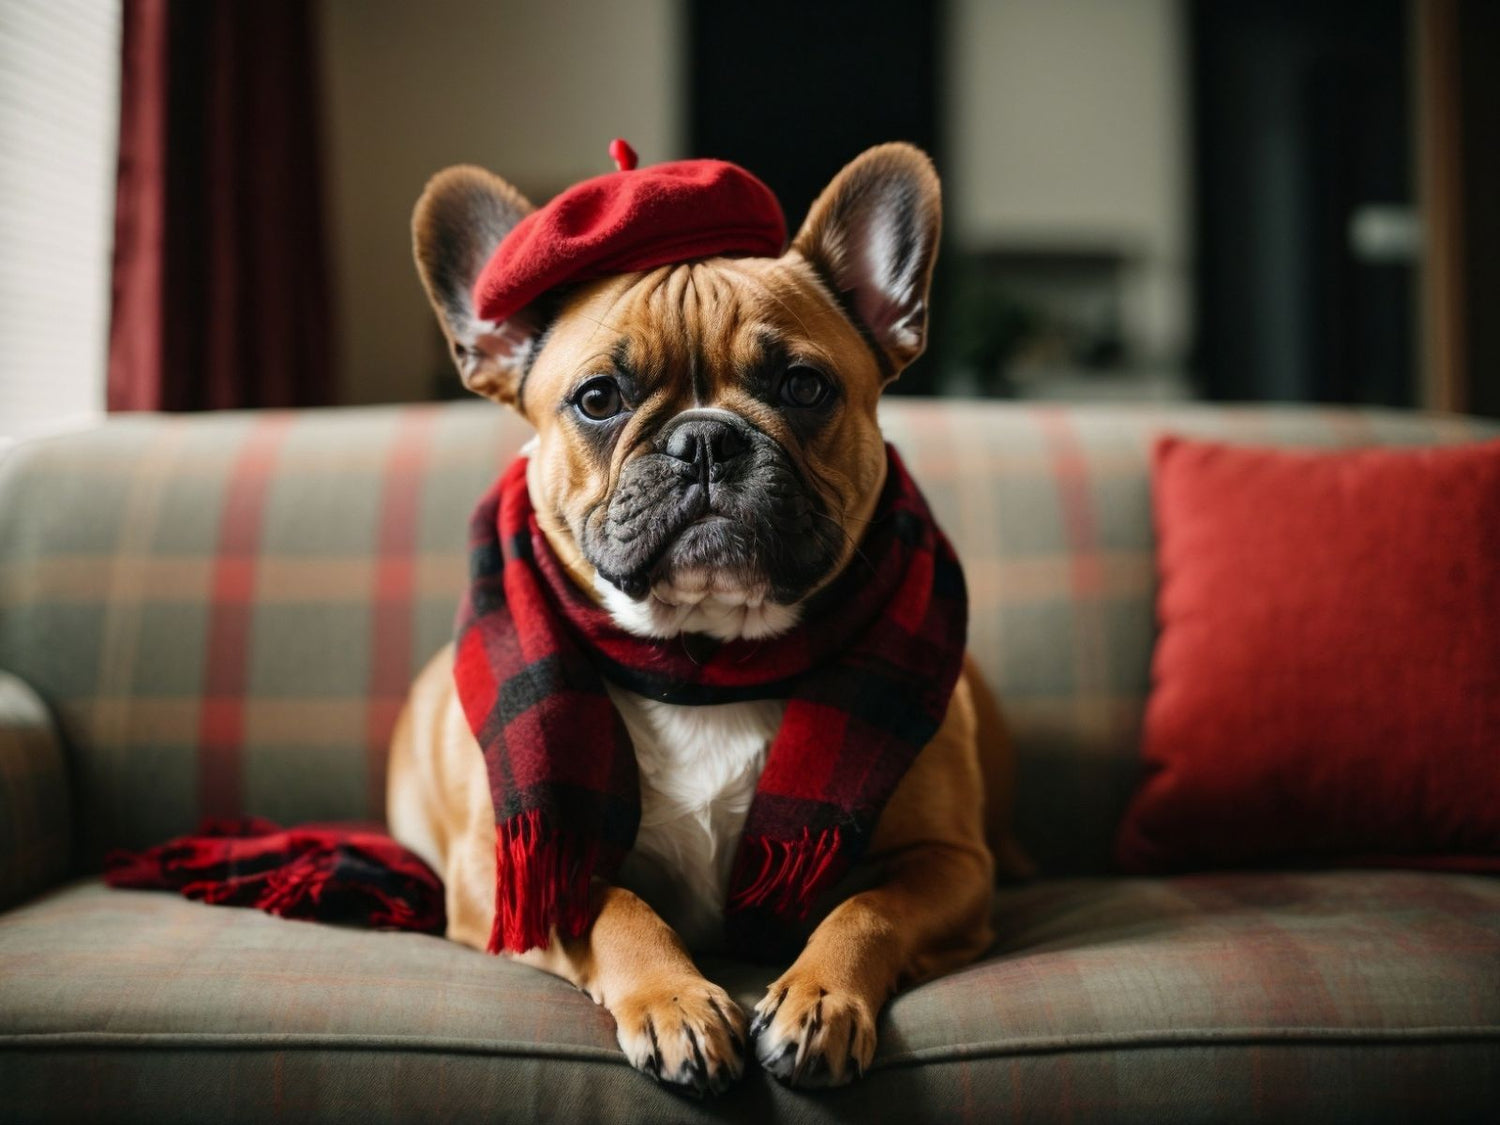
[{"x": 458, "y": 223}]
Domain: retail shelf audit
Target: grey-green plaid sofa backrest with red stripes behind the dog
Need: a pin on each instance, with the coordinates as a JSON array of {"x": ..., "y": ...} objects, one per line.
[{"x": 226, "y": 610}]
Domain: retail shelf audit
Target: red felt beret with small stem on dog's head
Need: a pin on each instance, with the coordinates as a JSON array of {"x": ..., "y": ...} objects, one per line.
[{"x": 631, "y": 221}]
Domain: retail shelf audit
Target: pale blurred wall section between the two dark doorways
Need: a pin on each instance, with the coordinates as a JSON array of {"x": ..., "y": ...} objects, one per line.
[{"x": 1069, "y": 128}]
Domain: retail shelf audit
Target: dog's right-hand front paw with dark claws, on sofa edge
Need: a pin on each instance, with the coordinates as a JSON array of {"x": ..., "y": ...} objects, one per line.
[{"x": 814, "y": 1036}]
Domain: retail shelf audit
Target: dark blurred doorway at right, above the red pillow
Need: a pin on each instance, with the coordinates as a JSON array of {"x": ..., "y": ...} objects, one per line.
[{"x": 1306, "y": 235}]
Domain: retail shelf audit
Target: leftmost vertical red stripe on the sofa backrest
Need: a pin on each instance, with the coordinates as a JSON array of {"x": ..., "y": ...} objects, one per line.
[{"x": 227, "y": 655}]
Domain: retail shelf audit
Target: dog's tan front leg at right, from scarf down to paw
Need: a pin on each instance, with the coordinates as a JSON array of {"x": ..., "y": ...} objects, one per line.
[{"x": 929, "y": 914}]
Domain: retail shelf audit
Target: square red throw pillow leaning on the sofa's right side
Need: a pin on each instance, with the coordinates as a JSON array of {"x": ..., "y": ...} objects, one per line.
[{"x": 1327, "y": 683}]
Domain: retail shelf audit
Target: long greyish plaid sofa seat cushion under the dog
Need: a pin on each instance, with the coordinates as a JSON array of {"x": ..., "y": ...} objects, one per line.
[{"x": 1342, "y": 997}]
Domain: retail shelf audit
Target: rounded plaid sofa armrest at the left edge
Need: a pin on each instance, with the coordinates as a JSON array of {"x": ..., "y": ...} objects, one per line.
[{"x": 35, "y": 806}]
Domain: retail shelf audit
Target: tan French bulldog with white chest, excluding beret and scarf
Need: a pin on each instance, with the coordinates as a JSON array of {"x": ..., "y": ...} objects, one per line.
[{"x": 791, "y": 353}]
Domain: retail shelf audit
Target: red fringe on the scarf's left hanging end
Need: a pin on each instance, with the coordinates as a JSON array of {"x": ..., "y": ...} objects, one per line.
[{"x": 542, "y": 881}]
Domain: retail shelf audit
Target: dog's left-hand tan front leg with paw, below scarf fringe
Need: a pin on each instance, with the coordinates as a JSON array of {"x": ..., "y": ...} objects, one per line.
[{"x": 673, "y": 1024}]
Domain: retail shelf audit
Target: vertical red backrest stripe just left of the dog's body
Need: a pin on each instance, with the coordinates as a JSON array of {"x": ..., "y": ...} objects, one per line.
[{"x": 395, "y": 583}]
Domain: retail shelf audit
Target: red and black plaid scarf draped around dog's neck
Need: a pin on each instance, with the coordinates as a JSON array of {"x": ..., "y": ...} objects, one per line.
[{"x": 868, "y": 677}]
